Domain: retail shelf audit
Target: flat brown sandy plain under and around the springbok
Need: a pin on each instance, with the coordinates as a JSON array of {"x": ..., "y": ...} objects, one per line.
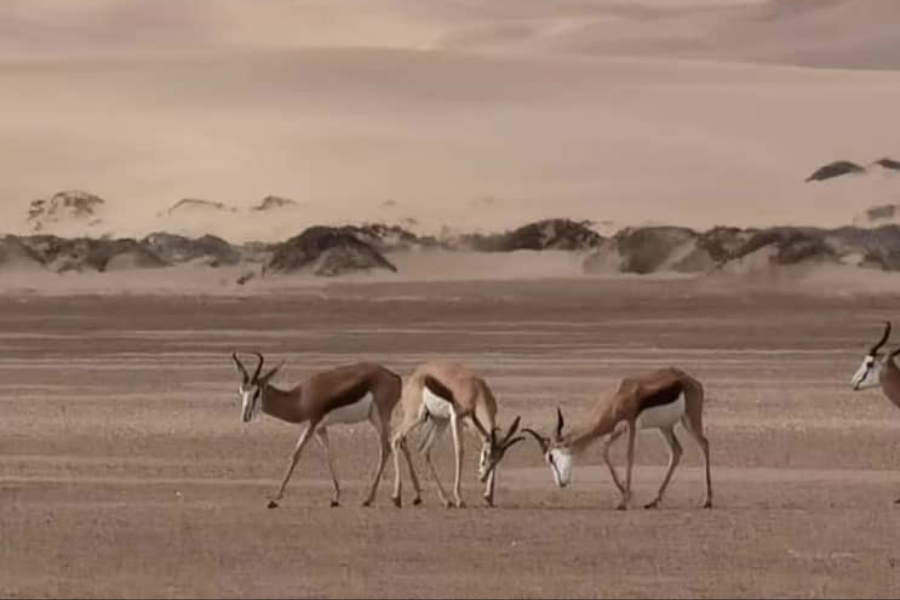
[{"x": 124, "y": 470}]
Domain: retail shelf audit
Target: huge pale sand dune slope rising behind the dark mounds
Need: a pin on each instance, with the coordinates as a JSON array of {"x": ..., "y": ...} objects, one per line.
[{"x": 682, "y": 113}]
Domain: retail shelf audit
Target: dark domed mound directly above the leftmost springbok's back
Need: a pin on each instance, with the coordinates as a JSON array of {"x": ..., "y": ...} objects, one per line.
[{"x": 326, "y": 251}]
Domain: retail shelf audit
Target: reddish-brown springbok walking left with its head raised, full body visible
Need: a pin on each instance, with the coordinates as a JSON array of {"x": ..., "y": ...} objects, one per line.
[{"x": 342, "y": 396}]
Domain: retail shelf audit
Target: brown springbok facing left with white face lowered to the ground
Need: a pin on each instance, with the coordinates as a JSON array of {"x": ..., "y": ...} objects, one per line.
[{"x": 657, "y": 400}]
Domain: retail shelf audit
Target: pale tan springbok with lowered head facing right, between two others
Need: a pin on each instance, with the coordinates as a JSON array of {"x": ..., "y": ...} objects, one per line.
[{"x": 447, "y": 394}]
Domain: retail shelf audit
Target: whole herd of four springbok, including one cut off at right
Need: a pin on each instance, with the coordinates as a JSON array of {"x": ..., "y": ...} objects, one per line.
[{"x": 441, "y": 394}]
